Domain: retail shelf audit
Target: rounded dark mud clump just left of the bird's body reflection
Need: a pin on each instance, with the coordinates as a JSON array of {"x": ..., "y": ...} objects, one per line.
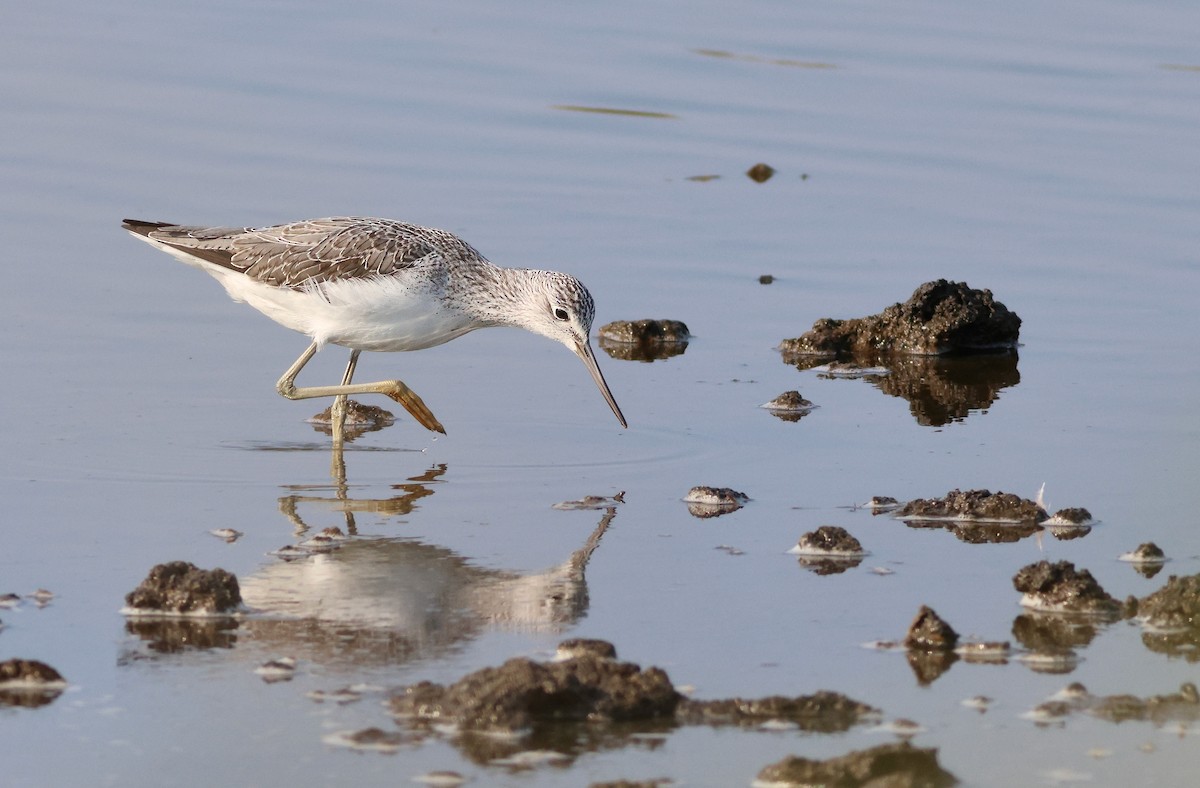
[{"x": 179, "y": 588}]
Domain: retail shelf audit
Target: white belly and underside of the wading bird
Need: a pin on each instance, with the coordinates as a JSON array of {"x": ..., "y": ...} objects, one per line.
[{"x": 385, "y": 314}]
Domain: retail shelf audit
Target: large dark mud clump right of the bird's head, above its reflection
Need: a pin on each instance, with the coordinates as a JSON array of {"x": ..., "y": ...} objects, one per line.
[{"x": 941, "y": 317}]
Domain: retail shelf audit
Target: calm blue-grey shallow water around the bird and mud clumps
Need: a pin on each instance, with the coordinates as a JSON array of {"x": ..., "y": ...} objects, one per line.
[{"x": 1046, "y": 154}]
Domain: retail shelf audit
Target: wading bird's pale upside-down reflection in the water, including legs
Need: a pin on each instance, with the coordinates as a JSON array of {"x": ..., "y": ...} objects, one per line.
[{"x": 387, "y": 601}]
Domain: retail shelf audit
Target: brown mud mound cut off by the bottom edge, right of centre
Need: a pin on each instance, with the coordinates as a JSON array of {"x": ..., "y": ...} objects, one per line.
[{"x": 899, "y": 766}]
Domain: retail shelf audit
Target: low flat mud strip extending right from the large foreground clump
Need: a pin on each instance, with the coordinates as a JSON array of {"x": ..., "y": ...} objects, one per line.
[{"x": 819, "y": 713}]
